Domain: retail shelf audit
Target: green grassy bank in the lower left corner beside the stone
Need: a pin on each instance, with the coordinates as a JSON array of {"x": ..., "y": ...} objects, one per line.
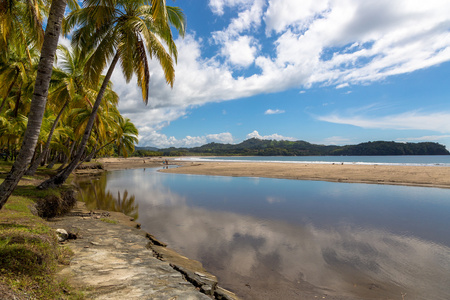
[{"x": 30, "y": 255}]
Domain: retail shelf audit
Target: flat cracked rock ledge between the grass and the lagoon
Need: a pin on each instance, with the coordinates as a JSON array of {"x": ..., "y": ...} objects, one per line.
[{"x": 115, "y": 259}]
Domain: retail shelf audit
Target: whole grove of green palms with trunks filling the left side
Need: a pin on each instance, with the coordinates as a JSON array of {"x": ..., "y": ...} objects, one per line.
[{"x": 66, "y": 112}]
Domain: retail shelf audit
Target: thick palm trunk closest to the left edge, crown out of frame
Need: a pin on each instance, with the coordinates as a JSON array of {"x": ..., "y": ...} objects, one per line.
[{"x": 38, "y": 101}]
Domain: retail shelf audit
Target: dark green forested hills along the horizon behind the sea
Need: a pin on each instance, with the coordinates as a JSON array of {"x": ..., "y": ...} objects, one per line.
[{"x": 257, "y": 147}]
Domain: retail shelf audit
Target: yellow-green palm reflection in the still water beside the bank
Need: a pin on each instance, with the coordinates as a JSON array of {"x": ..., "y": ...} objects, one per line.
[{"x": 96, "y": 196}]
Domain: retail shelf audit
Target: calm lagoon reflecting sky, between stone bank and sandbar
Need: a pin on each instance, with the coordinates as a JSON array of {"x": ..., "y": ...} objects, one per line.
[{"x": 272, "y": 238}]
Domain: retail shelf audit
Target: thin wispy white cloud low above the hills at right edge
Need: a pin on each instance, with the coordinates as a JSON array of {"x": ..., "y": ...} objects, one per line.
[{"x": 413, "y": 120}]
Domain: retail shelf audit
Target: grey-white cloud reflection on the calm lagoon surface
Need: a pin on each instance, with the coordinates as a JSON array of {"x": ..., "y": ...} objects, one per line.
[{"x": 346, "y": 258}]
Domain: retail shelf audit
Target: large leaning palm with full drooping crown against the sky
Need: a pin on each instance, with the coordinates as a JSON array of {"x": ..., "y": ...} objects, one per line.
[{"x": 125, "y": 32}]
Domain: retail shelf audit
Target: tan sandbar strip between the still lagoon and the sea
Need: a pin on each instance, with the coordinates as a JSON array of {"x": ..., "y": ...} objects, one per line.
[{"x": 377, "y": 174}]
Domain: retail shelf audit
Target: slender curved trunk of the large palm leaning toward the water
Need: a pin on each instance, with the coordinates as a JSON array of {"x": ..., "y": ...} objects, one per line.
[{"x": 62, "y": 176}]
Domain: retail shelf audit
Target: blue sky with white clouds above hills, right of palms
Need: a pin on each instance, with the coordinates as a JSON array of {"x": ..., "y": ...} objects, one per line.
[{"x": 333, "y": 72}]
